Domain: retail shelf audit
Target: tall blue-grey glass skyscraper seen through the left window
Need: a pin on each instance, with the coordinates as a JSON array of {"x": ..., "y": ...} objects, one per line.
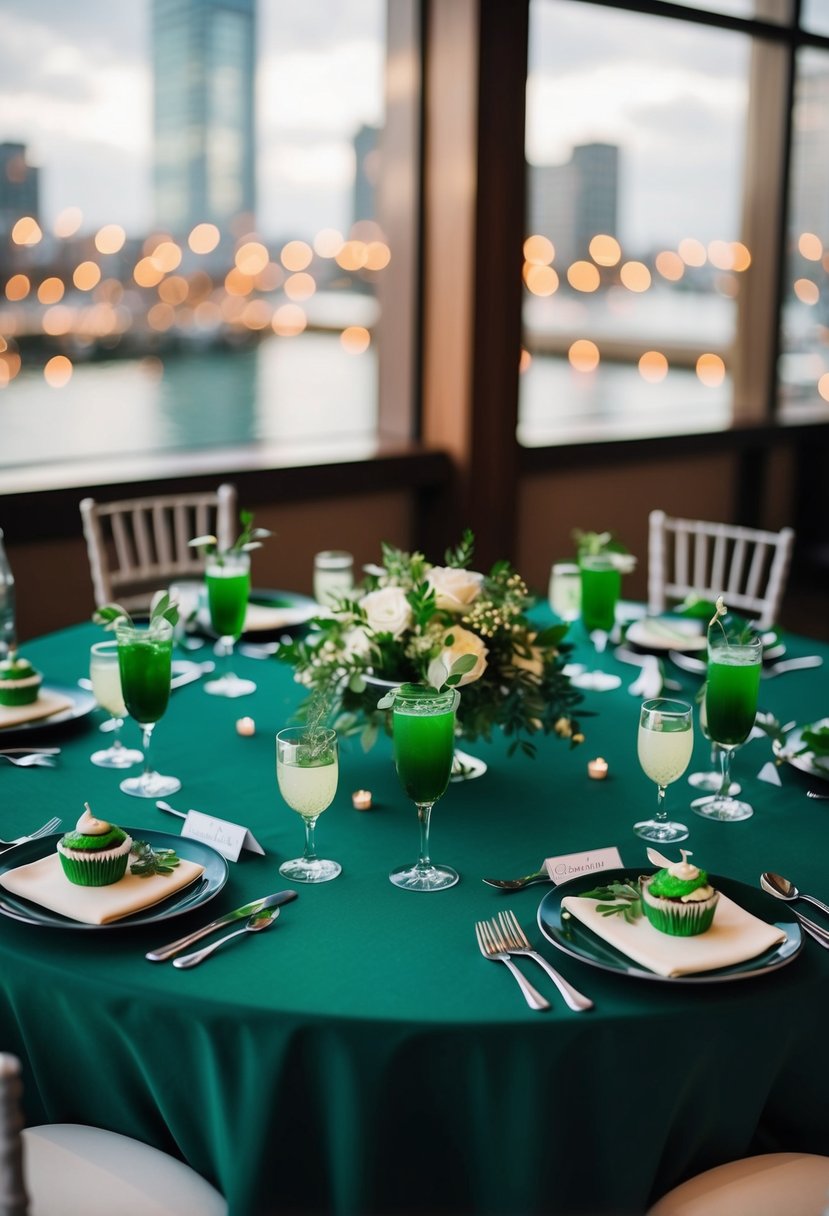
[{"x": 204, "y": 93}]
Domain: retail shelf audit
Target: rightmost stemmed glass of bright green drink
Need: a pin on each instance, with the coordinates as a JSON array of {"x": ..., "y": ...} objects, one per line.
[{"x": 731, "y": 707}]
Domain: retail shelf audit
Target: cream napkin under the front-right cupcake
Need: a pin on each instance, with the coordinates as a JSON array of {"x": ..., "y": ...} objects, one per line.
[{"x": 735, "y": 937}]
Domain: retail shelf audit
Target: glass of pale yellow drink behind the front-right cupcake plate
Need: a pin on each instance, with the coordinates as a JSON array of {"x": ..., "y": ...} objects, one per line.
[{"x": 666, "y": 742}]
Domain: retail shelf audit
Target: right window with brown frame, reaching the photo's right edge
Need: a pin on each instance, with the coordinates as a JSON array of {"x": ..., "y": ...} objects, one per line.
[{"x": 656, "y": 149}]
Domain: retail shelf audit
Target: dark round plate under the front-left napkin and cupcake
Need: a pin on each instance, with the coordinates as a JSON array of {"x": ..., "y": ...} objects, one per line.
[{"x": 185, "y": 900}]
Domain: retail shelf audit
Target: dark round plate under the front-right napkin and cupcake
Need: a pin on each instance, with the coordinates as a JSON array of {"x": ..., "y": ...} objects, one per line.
[{"x": 579, "y": 942}]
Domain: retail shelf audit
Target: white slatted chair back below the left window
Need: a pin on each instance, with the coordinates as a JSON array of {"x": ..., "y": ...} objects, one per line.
[{"x": 139, "y": 545}]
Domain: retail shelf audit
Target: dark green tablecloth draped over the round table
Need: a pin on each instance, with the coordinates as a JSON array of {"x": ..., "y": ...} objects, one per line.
[{"x": 363, "y": 1057}]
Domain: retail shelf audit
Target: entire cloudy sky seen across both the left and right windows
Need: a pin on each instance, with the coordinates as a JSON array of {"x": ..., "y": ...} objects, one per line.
[{"x": 76, "y": 88}]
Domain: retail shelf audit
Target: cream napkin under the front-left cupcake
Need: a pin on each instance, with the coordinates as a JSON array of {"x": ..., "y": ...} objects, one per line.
[{"x": 43, "y": 882}]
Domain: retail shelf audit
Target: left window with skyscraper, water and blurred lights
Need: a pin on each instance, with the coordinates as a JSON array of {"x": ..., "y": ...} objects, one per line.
[{"x": 190, "y": 250}]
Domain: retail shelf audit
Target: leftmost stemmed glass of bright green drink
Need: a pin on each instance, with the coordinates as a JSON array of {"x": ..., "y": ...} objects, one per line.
[{"x": 144, "y": 657}]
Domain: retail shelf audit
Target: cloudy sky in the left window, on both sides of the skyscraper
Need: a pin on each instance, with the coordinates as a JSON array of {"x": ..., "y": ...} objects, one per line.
[{"x": 76, "y": 88}]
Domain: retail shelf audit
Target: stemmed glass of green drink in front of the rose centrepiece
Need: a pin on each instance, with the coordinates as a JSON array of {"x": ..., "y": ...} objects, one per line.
[{"x": 424, "y": 738}]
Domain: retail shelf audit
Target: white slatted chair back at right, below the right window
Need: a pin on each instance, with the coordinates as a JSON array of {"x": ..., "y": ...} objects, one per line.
[{"x": 747, "y": 566}]
